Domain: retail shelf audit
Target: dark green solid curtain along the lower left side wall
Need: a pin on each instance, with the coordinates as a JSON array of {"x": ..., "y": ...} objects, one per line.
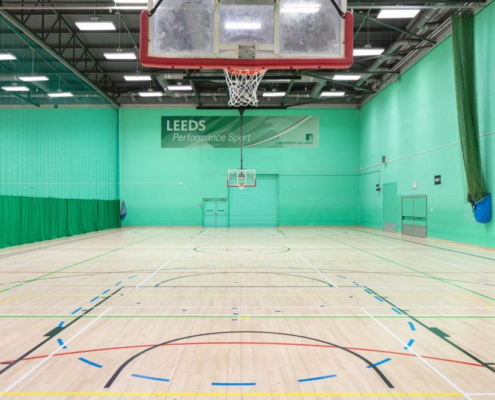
[{"x": 32, "y": 219}]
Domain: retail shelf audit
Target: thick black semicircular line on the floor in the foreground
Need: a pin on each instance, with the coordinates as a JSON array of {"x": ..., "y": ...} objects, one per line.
[{"x": 129, "y": 360}]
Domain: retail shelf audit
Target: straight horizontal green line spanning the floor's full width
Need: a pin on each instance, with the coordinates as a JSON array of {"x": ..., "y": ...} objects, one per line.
[{"x": 241, "y": 317}]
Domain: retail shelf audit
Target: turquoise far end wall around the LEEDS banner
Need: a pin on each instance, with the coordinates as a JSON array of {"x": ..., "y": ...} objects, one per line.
[{"x": 315, "y": 188}]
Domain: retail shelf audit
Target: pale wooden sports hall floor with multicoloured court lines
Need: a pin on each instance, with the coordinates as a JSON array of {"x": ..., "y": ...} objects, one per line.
[{"x": 300, "y": 313}]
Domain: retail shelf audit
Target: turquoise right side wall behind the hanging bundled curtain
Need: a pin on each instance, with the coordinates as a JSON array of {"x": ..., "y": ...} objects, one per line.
[{"x": 414, "y": 123}]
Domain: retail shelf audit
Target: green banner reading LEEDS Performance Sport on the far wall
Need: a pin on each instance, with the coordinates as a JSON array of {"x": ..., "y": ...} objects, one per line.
[{"x": 224, "y": 132}]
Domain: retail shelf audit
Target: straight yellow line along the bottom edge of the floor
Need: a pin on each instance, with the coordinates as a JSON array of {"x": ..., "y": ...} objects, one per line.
[{"x": 232, "y": 394}]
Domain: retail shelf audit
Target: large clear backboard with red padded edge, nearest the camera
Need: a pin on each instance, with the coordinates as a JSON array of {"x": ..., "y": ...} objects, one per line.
[{"x": 268, "y": 34}]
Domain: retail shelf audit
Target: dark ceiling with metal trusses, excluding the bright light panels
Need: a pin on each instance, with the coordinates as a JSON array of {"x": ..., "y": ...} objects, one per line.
[{"x": 43, "y": 36}]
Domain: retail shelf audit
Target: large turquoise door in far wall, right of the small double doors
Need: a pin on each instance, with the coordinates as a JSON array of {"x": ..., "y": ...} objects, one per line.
[{"x": 256, "y": 206}]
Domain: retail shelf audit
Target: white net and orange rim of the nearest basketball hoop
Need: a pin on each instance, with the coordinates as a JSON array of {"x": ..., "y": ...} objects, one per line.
[{"x": 243, "y": 86}]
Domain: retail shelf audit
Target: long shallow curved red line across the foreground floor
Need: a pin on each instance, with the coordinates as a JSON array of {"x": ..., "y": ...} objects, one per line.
[{"x": 247, "y": 343}]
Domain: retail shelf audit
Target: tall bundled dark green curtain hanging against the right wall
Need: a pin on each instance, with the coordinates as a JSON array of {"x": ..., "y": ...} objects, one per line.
[{"x": 465, "y": 84}]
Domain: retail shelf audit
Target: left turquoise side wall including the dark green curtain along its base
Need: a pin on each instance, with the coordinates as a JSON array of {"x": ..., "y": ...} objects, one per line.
[{"x": 58, "y": 173}]
